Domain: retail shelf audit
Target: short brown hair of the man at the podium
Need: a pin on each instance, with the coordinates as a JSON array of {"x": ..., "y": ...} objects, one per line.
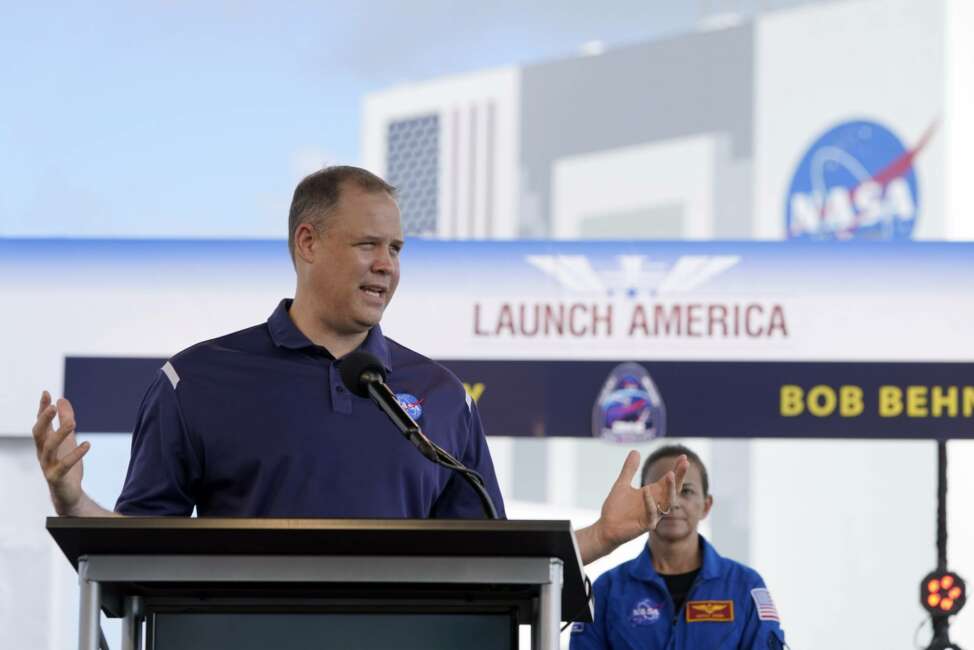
[{"x": 318, "y": 194}]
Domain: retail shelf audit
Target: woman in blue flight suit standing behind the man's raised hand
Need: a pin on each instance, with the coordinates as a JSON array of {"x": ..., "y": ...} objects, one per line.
[{"x": 679, "y": 594}]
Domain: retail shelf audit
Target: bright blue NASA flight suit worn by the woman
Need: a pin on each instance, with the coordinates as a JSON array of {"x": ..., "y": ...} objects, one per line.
[{"x": 633, "y": 609}]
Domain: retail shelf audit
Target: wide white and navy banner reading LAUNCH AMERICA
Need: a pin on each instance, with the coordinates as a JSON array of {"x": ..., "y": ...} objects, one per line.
[{"x": 622, "y": 340}]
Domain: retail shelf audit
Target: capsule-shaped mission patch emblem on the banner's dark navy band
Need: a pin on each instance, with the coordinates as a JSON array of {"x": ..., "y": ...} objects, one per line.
[{"x": 629, "y": 407}]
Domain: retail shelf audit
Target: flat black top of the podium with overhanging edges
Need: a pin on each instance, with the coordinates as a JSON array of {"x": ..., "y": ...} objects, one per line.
[{"x": 79, "y": 537}]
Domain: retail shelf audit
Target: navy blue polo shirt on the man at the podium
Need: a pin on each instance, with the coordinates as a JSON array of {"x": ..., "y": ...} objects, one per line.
[{"x": 258, "y": 424}]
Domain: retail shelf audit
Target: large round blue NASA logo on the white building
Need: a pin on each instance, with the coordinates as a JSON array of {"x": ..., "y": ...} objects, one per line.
[{"x": 857, "y": 181}]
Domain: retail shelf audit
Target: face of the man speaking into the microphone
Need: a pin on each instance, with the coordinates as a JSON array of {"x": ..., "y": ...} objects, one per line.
[{"x": 355, "y": 269}]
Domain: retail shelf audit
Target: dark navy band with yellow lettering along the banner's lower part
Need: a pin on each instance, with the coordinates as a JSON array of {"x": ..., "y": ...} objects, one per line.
[{"x": 736, "y": 399}]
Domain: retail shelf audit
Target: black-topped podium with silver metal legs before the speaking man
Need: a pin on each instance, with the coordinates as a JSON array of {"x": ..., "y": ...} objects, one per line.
[{"x": 215, "y": 583}]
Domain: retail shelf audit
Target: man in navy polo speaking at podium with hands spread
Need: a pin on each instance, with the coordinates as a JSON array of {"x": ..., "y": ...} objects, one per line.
[{"x": 258, "y": 423}]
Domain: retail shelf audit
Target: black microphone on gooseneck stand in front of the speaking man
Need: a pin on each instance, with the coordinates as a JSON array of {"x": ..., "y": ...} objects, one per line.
[{"x": 364, "y": 375}]
